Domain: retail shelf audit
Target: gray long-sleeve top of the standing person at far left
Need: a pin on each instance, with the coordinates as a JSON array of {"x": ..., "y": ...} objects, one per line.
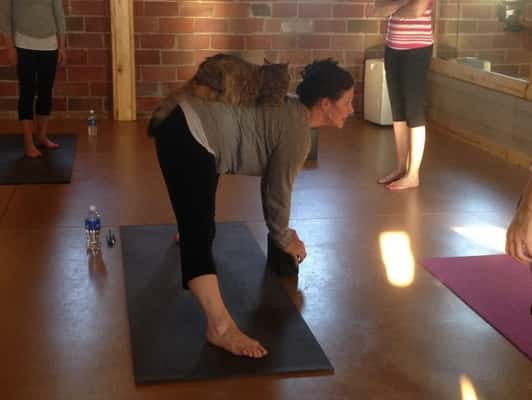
[{"x": 35, "y": 18}]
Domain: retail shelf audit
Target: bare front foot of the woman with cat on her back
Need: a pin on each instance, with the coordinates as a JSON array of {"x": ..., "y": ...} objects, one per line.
[{"x": 234, "y": 341}]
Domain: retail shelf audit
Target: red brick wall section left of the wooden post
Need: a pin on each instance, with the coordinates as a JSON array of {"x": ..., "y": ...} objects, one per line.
[{"x": 86, "y": 82}]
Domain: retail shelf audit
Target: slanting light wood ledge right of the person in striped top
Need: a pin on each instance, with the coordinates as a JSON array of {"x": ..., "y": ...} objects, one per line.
[{"x": 501, "y": 83}]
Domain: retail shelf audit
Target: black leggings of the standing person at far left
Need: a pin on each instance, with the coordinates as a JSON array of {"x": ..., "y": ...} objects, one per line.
[{"x": 36, "y": 73}]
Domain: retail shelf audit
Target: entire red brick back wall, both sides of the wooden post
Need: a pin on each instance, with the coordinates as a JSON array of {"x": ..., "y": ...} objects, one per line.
[{"x": 173, "y": 37}]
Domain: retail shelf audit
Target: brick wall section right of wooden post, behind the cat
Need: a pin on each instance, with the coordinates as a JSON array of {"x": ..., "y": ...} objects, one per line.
[{"x": 173, "y": 37}]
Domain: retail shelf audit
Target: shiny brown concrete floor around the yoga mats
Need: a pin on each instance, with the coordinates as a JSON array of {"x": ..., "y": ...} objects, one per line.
[{"x": 64, "y": 323}]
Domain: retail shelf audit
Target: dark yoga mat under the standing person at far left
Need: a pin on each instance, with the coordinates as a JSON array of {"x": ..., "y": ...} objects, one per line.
[{"x": 54, "y": 167}]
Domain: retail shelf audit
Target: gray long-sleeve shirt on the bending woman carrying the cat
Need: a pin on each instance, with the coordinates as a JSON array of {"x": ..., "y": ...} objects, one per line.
[{"x": 268, "y": 141}]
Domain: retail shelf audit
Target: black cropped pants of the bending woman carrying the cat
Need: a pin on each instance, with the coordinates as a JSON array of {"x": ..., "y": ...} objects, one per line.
[{"x": 190, "y": 175}]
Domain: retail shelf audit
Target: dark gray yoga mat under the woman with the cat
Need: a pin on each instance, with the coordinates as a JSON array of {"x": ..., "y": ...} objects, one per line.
[{"x": 167, "y": 328}]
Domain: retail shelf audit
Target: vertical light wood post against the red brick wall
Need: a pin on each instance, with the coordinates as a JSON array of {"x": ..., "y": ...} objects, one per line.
[{"x": 123, "y": 50}]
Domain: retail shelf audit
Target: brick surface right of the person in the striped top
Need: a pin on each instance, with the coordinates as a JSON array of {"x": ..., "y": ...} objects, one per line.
[{"x": 471, "y": 28}]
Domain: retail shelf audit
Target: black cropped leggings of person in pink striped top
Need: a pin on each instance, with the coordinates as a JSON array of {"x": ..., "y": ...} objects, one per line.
[{"x": 406, "y": 77}]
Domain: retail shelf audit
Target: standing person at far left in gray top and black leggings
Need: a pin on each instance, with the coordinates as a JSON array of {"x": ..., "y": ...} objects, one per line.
[{"x": 34, "y": 34}]
